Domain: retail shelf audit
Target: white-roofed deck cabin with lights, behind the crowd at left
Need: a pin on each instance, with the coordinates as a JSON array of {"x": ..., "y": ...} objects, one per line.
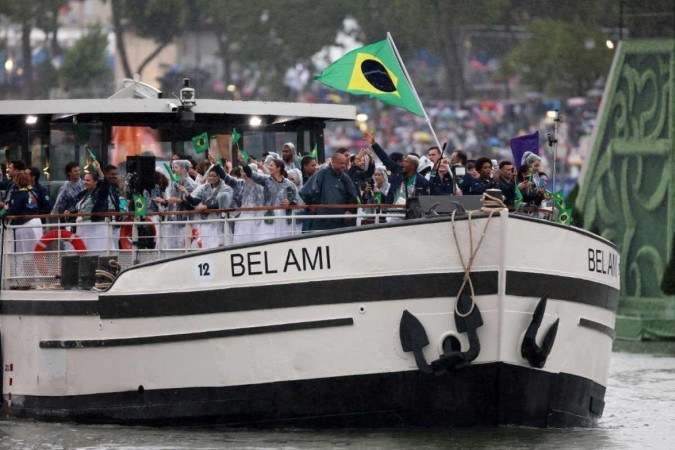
[{"x": 50, "y": 133}]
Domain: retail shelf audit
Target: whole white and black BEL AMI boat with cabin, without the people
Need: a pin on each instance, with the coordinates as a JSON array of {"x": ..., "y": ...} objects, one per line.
[{"x": 458, "y": 317}]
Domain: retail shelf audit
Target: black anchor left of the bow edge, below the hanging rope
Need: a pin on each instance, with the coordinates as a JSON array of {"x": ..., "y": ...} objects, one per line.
[{"x": 414, "y": 338}]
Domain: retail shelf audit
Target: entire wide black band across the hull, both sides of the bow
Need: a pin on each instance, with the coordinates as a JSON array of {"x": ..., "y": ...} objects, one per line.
[{"x": 406, "y": 287}]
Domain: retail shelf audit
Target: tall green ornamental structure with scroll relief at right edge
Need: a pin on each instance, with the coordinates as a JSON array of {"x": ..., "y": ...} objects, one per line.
[{"x": 628, "y": 190}]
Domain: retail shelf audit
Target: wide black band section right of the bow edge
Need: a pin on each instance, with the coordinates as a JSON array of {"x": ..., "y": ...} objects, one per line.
[{"x": 527, "y": 284}]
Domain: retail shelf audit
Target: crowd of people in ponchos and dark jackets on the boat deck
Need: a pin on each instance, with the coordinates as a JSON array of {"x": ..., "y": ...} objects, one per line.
[{"x": 194, "y": 190}]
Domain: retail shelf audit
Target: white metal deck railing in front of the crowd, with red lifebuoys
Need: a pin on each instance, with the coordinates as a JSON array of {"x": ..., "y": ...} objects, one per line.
[{"x": 33, "y": 256}]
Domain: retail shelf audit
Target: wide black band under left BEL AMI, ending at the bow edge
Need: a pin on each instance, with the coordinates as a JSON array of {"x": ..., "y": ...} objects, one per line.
[{"x": 323, "y": 292}]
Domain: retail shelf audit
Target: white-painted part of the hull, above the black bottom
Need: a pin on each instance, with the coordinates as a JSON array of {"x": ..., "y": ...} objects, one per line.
[{"x": 74, "y": 355}]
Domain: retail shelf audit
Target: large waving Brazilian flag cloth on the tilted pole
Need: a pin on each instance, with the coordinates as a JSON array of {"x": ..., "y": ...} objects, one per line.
[{"x": 372, "y": 70}]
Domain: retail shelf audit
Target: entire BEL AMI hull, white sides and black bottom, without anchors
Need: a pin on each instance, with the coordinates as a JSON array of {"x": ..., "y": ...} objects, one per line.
[{"x": 305, "y": 331}]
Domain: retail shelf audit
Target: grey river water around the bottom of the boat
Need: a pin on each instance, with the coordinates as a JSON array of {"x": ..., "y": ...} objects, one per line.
[{"x": 639, "y": 413}]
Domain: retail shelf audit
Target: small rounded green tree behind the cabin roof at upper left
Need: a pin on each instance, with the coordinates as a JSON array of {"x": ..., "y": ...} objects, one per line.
[{"x": 85, "y": 72}]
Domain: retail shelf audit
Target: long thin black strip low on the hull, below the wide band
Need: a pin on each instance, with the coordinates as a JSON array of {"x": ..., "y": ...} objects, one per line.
[{"x": 94, "y": 343}]
